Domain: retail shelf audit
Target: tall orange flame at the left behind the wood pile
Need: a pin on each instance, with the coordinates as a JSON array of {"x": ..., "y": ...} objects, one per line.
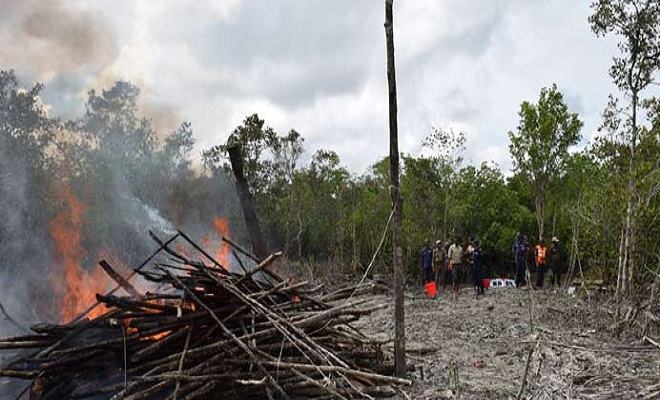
[{"x": 75, "y": 287}]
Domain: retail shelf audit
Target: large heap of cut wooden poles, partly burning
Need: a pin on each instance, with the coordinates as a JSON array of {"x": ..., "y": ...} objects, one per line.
[{"x": 206, "y": 332}]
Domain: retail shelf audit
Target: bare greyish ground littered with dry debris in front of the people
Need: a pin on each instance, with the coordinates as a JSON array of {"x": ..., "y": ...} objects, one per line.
[{"x": 478, "y": 349}]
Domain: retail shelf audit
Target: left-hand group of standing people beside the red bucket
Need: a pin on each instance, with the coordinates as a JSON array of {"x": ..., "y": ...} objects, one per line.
[{"x": 448, "y": 263}]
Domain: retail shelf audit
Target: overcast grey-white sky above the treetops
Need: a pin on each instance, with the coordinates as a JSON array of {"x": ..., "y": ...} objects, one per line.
[{"x": 317, "y": 66}]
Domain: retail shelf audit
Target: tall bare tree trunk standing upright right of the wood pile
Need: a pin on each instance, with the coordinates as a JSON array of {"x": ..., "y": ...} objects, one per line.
[{"x": 397, "y": 259}]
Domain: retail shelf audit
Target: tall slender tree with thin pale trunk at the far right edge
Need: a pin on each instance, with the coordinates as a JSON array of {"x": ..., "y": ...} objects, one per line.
[{"x": 634, "y": 70}]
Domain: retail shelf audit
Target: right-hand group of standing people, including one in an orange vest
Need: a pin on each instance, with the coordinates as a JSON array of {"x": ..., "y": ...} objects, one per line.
[{"x": 541, "y": 257}]
